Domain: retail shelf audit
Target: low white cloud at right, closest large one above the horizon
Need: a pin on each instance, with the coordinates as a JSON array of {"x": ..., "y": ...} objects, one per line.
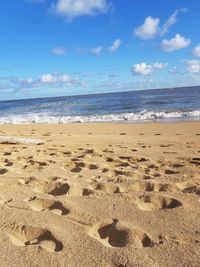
[{"x": 146, "y": 69}]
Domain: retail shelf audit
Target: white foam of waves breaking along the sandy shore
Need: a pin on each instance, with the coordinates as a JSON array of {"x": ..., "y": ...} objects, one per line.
[{"x": 122, "y": 117}]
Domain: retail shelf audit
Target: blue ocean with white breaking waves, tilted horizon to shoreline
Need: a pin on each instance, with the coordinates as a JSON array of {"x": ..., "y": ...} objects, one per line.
[{"x": 175, "y": 104}]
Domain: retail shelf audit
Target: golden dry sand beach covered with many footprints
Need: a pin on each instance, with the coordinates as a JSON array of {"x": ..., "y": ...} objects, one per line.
[{"x": 101, "y": 195}]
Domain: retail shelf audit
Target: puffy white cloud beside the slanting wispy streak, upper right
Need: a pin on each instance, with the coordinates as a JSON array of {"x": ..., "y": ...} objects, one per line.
[{"x": 149, "y": 29}]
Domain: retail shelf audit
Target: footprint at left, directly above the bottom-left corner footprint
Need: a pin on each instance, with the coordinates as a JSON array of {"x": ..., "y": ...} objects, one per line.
[{"x": 39, "y": 204}]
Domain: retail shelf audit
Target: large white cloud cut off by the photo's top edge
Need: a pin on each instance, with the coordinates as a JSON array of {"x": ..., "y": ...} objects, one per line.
[{"x": 75, "y": 8}]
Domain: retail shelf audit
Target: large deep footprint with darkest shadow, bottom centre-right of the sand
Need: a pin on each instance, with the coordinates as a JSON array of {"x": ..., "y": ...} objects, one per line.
[{"x": 116, "y": 235}]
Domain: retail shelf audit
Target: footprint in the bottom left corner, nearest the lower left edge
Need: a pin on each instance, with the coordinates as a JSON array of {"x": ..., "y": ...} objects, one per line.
[{"x": 28, "y": 235}]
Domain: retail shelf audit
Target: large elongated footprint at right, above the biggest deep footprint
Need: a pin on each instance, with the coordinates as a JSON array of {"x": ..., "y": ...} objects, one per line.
[{"x": 151, "y": 202}]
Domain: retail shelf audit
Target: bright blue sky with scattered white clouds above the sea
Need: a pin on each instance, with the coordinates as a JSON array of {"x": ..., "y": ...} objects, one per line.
[{"x": 75, "y": 47}]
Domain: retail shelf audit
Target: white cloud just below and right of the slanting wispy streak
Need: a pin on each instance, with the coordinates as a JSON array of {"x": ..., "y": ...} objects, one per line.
[{"x": 175, "y": 43}]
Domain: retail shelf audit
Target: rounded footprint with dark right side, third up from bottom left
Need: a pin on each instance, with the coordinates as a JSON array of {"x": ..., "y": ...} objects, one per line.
[{"x": 55, "y": 188}]
